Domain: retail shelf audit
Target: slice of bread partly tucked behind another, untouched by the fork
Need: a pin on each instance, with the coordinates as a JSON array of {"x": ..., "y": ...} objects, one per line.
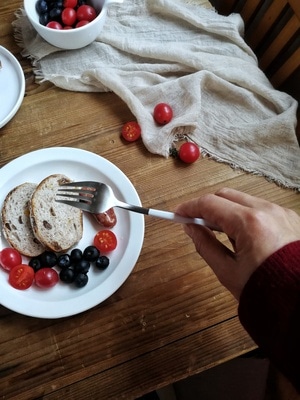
[{"x": 16, "y": 223}]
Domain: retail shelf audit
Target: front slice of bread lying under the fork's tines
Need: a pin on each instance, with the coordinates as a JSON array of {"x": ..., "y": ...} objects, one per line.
[{"x": 57, "y": 226}]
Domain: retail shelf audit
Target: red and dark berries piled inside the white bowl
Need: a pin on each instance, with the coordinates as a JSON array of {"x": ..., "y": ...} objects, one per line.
[{"x": 65, "y": 14}]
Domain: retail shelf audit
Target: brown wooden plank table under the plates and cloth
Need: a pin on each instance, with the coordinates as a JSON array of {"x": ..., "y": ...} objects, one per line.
[{"x": 171, "y": 318}]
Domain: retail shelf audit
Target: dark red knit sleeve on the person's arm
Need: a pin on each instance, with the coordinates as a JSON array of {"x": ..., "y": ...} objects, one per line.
[{"x": 269, "y": 310}]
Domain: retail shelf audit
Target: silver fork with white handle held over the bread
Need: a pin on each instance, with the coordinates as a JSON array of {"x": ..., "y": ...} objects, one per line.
[{"x": 96, "y": 197}]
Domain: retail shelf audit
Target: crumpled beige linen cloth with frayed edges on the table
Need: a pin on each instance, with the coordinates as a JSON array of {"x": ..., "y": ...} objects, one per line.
[{"x": 181, "y": 53}]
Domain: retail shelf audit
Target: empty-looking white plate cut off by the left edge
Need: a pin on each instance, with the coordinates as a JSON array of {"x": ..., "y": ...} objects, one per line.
[{"x": 12, "y": 86}]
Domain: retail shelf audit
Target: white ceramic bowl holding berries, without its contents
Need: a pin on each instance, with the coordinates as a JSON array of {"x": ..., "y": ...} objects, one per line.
[{"x": 74, "y": 38}]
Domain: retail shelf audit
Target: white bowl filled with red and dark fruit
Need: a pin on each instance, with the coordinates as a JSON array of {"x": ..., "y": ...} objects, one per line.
[{"x": 68, "y": 24}]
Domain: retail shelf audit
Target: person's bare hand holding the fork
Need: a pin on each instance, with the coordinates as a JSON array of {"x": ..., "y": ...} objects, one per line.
[{"x": 255, "y": 227}]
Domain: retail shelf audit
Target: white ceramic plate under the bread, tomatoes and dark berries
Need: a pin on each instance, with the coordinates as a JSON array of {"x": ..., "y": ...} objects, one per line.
[{"x": 64, "y": 300}]
